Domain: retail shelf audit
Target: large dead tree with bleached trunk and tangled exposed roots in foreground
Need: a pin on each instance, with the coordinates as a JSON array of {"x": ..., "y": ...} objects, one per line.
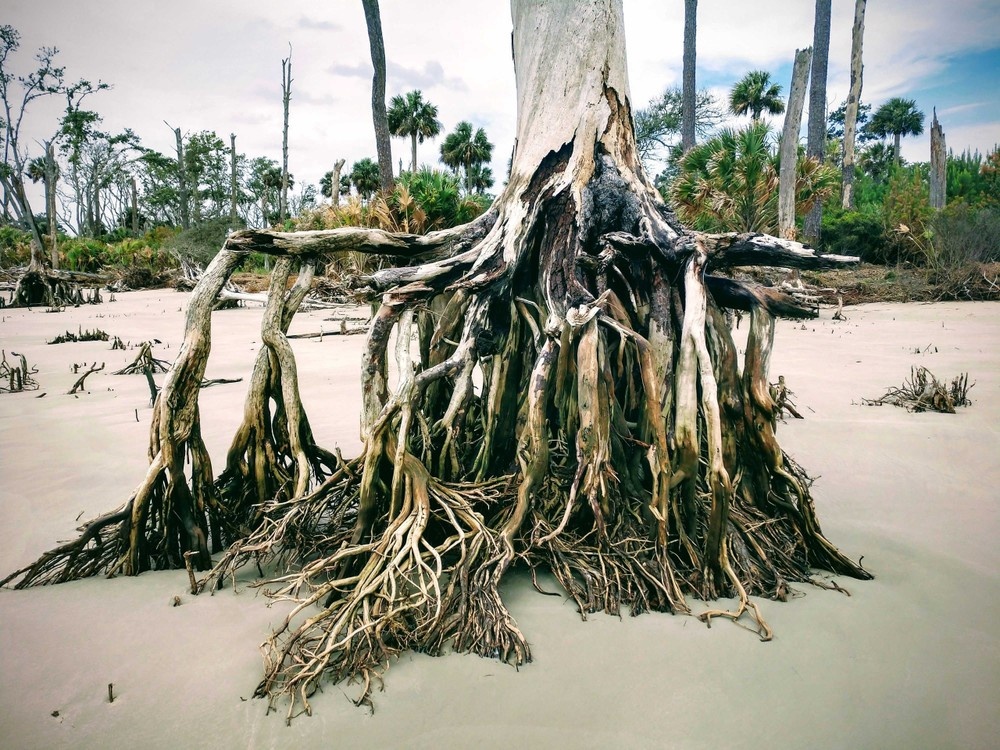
[{"x": 571, "y": 399}]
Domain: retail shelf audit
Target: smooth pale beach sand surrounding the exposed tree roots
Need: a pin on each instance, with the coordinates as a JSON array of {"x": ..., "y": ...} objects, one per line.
[{"x": 911, "y": 660}]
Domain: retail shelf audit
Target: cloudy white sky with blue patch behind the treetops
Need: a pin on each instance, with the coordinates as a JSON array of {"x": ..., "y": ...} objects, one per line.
[{"x": 216, "y": 65}]
